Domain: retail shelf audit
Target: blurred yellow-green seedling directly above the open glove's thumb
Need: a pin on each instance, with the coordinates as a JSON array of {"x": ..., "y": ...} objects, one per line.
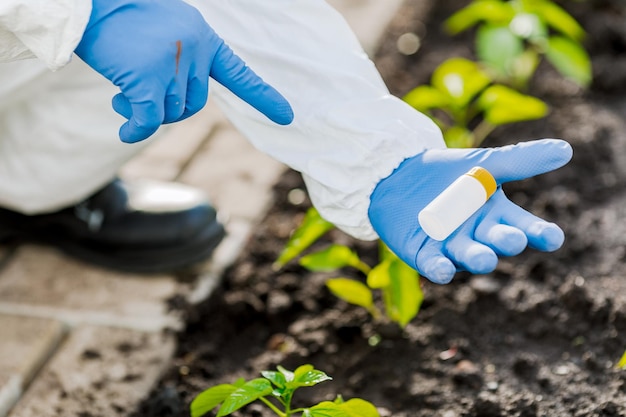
[{"x": 468, "y": 106}]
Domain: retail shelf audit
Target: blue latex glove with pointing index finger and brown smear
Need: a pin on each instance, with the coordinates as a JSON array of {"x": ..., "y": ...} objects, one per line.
[{"x": 160, "y": 53}]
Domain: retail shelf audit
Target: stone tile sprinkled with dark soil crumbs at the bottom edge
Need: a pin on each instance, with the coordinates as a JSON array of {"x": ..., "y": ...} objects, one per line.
[{"x": 99, "y": 372}]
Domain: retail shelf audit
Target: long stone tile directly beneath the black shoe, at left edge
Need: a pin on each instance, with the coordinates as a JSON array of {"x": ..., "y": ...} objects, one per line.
[{"x": 41, "y": 282}]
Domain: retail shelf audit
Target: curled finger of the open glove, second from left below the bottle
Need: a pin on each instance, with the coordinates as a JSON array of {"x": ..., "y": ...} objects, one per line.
[{"x": 469, "y": 254}]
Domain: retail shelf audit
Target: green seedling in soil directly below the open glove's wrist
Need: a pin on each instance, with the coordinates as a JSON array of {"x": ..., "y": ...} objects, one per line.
[{"x": 397, "y": 282}]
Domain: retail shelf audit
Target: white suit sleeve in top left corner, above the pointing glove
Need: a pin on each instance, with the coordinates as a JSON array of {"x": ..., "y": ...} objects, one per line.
[{"x": 46, "y": 29}]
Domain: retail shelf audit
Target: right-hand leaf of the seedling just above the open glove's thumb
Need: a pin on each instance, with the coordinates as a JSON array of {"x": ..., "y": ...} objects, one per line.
[{"x": 502, "y": 105}]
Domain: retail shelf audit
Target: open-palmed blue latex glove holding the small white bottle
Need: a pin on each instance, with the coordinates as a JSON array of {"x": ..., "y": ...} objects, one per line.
[{"x": 499, "y": 228}]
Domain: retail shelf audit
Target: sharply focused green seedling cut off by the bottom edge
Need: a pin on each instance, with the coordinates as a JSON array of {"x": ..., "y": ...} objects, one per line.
[{"x": 276, "y": 390}]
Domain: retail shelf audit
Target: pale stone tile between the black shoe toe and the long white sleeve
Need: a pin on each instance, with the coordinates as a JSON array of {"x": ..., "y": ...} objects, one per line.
[{"x": 235, "y": 175}]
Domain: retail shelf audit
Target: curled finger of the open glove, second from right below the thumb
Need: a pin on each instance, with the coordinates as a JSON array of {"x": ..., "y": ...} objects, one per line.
[{"x": 503, "y": 239}]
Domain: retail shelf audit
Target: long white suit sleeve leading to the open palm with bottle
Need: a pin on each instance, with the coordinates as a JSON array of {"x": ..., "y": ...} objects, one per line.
[{"x": 348, "y": 132}]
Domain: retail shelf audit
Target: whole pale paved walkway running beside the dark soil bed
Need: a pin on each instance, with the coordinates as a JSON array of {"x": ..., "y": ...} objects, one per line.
[{"x": 81, "y": 341}]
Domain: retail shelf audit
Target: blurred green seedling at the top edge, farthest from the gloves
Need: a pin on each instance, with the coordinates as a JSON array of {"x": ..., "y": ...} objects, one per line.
[{"x": 513, "y": 36}]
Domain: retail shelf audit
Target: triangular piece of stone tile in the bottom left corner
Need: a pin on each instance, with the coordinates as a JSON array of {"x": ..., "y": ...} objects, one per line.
[{"x": 25, "y": 345}]
